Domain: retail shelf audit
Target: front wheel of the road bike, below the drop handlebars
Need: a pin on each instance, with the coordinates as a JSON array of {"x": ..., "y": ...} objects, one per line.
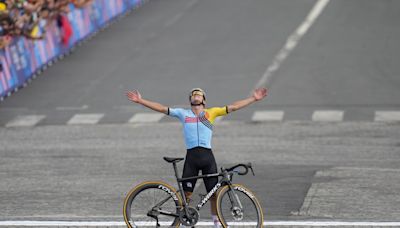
[{"x": 238, "y": 207}]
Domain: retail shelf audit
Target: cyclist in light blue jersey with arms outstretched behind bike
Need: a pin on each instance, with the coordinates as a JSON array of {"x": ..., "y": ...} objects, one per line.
[{"x": 198, "y": 124}]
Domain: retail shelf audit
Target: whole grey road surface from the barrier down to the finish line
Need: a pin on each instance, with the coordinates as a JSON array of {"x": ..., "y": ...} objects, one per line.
[{"x": 305, "y": 170}]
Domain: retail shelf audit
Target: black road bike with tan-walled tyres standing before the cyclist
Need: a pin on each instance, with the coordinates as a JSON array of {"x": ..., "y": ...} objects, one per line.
[{"x": 158, "y": 204}]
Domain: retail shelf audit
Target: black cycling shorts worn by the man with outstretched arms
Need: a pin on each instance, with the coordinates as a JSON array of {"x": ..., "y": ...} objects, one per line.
[{"x": 199, "y": 158}]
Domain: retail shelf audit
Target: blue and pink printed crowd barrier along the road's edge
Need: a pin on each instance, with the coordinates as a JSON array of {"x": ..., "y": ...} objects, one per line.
[{"x": 24, "y": 58}]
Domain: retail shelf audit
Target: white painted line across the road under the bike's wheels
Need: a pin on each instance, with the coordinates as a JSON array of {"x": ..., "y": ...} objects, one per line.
[{"x": 266, "y": 223}]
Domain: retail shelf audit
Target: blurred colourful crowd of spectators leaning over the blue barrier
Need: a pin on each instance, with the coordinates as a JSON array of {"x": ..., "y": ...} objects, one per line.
[{"x": 29, "y": 18}]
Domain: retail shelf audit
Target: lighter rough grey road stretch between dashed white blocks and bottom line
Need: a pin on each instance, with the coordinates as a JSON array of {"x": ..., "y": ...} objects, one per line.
[{"x": 304, "y": 171}]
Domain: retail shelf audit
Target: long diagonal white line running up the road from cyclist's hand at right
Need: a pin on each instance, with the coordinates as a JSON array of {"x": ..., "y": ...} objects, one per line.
[{"x": 291, "y": 43}]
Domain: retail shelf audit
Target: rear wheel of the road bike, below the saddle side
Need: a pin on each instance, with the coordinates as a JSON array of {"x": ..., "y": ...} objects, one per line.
[{"x": 151, "y": 200}]
